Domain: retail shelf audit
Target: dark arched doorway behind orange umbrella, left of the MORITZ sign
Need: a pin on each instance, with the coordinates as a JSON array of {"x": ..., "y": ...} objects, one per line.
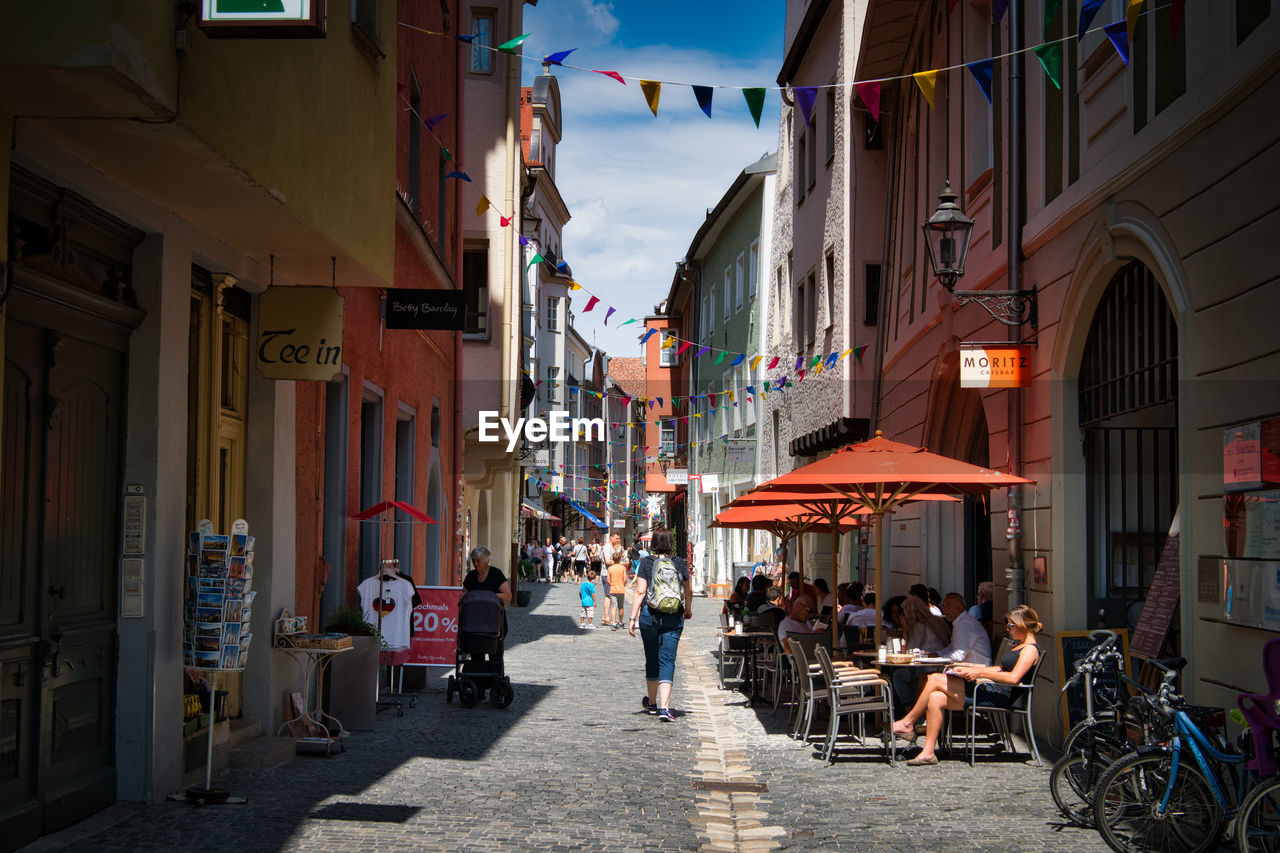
[{"x": 958, "y": 428}]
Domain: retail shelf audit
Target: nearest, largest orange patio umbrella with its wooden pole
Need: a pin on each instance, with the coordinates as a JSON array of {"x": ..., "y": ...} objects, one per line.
[{"x": 881, "y": 476}]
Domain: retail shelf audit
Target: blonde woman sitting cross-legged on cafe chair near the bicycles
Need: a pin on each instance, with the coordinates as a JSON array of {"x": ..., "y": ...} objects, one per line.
[{"x": 954, "y": 690}]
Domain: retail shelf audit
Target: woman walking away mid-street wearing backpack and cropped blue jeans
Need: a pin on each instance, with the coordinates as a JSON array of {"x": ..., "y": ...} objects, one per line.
[{"x": 664, "y": 601}]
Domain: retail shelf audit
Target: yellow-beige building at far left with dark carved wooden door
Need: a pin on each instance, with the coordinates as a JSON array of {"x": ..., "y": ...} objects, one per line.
[{"x": 143, "y": 234}]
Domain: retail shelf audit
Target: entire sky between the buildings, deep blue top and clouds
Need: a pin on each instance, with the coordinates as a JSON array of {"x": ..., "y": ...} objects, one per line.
[{"x": 638, "y": 188}]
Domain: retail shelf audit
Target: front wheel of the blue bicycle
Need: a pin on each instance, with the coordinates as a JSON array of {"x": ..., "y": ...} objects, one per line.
[{"x": 1128, "y": 799}]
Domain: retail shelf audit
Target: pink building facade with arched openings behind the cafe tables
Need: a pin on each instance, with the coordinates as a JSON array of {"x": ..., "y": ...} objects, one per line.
[{"x": 1123, "y": 193}]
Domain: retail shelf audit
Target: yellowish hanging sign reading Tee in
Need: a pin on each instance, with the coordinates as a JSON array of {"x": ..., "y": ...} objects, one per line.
[{"x": 300, "y": 334}]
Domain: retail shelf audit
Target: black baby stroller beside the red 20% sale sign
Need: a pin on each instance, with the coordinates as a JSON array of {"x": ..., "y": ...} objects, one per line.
[{"x": 478, "y": 663}]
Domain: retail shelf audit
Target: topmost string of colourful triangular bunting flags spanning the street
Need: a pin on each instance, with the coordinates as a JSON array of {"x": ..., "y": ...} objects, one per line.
[{"x": 867, "y": 90}]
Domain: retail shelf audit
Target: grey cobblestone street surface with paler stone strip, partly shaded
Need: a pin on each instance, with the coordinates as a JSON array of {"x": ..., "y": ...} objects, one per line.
[{"x": 577, "y": 765}]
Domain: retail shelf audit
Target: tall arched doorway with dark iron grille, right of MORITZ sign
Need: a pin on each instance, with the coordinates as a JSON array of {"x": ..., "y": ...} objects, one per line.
[{"x": 1128, "y": 416}]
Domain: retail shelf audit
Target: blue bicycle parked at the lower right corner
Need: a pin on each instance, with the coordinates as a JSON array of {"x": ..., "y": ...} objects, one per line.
[{"x": 1178, "y": 795}]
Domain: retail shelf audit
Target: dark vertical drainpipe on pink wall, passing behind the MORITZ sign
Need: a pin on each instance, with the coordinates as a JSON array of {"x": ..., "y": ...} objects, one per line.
[{"x": 1016, "y": 574}]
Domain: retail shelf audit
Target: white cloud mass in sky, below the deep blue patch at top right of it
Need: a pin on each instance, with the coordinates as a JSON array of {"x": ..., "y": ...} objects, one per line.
[{"x": 638, "y": 188}]
